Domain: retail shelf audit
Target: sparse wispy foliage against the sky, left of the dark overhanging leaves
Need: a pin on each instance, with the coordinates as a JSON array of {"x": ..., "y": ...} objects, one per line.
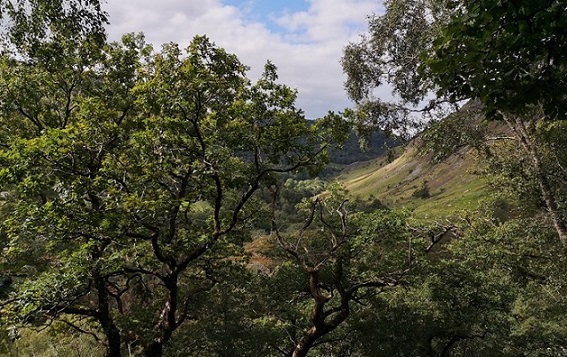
[{"x": 389, "y": 57}]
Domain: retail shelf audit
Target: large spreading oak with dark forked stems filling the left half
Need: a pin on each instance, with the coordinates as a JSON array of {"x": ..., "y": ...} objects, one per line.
[{"x": 130, "y": 176}]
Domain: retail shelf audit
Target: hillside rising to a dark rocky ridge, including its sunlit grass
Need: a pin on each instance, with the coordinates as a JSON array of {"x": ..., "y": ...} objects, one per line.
[{"x": 431, "y": 188}]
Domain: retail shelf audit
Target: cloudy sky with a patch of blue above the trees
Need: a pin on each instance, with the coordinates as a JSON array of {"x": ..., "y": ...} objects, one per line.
[{"x": 303, "y": 38}]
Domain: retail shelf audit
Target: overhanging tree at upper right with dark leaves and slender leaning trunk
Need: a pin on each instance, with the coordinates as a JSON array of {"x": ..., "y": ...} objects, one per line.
[{"x": 508, "y": 56}]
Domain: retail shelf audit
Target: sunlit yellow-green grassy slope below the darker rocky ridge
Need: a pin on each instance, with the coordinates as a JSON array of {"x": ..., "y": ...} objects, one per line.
[{"x": 453, "y": 184}]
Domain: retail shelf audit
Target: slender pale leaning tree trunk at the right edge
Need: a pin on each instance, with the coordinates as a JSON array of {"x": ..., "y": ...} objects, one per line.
[{"x": 543, "y": 181}]
